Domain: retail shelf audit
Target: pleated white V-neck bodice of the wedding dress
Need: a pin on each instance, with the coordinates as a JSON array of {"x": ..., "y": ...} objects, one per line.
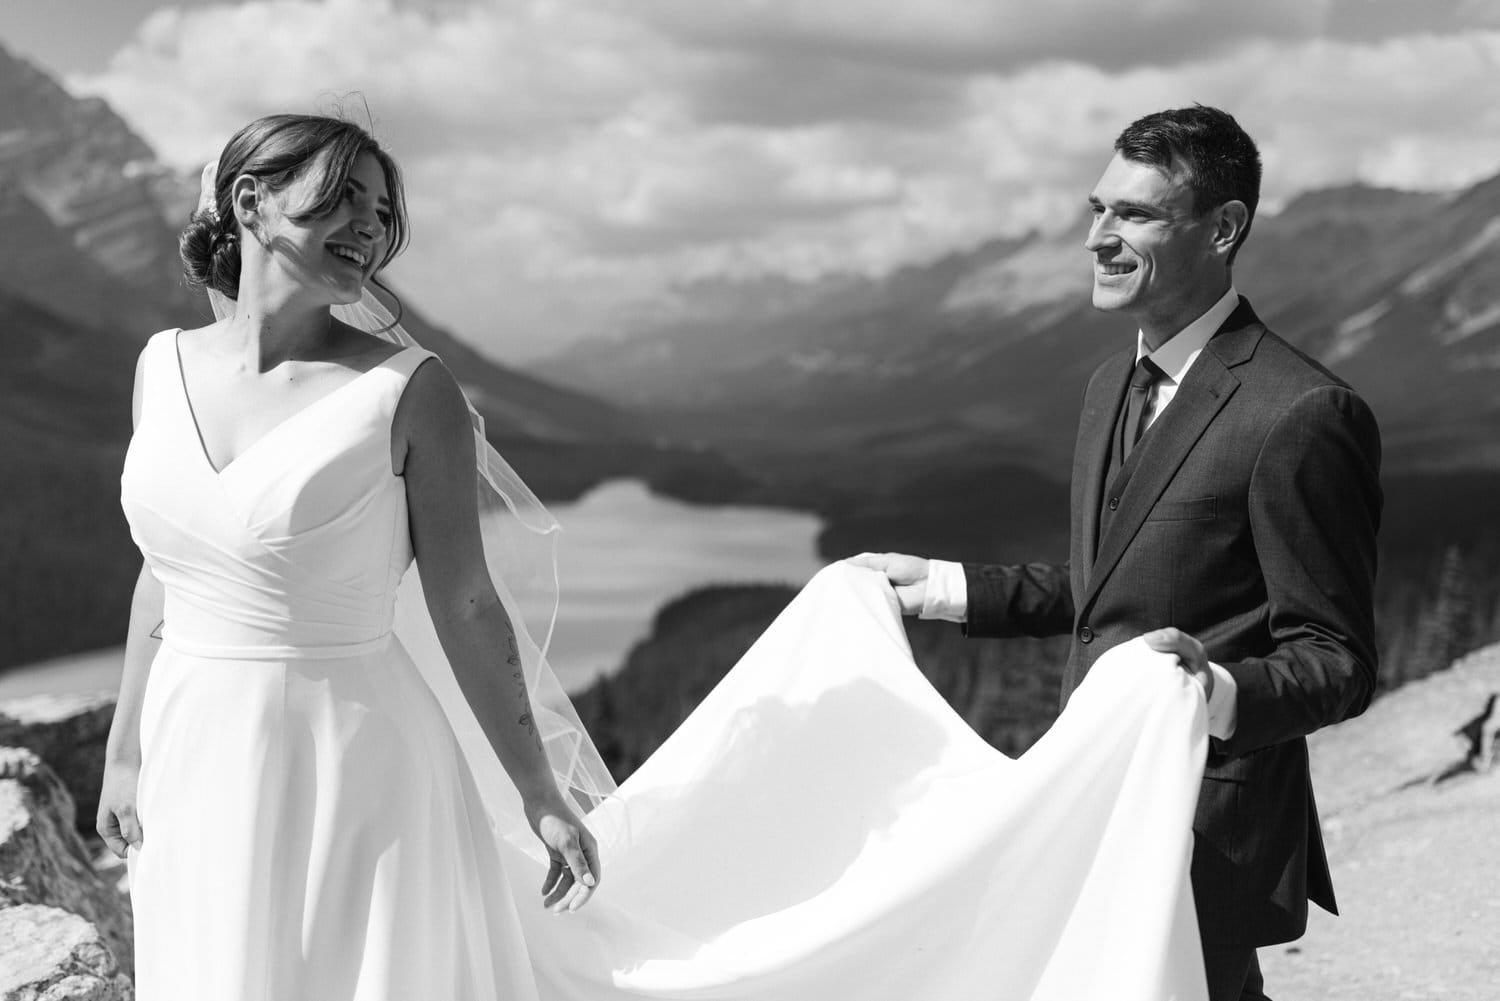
[{"x": 295, "y": 549}]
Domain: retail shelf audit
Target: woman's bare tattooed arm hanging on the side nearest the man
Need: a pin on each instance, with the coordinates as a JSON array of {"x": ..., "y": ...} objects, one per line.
[{"x": 433, "y": 448}]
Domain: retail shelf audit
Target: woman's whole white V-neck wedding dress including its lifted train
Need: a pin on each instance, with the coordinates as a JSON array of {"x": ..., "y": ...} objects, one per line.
[{"x": 317, "y": 813}]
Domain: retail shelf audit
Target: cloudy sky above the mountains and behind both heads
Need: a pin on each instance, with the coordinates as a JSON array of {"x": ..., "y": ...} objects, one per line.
[{"x": 574, "y": 166}]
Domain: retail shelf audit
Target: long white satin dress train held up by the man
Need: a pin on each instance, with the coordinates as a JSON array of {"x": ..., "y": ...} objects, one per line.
[{"x": 826, "y": 828}]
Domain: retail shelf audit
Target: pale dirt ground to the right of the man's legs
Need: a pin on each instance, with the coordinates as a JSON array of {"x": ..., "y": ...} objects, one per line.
[{"x": 1417, "y": 867}]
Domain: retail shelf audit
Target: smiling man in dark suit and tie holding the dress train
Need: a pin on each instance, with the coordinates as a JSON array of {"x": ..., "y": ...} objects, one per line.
[{"x": 1226, "y": 502}]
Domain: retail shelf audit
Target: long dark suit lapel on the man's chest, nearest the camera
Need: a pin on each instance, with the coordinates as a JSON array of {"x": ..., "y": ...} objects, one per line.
[{"x": 1159, "y": 457}]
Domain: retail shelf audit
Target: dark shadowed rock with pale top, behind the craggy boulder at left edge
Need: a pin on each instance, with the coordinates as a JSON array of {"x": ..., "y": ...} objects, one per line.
[{"x": 68, "y": 733}]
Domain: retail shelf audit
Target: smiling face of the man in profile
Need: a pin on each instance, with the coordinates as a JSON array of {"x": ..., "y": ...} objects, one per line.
[{"x": 1151, "y": 253}]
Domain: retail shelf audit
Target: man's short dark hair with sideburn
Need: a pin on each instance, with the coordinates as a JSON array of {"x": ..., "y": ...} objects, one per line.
[{"x": 1222, "y": 163}]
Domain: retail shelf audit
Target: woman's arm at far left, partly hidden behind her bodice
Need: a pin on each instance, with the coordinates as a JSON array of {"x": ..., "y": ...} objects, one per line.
[{"x": 116, "y": 820}]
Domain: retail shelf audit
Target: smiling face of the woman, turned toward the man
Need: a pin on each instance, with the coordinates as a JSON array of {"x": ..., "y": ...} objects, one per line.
[{"x": 338, "y": 253}]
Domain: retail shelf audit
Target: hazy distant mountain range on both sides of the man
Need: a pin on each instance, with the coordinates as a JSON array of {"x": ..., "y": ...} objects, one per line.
[{"x": 989, "y": 349}]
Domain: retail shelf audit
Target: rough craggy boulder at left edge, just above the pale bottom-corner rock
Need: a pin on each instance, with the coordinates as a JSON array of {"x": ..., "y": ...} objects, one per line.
[{"x": 44, "y": 862}]
